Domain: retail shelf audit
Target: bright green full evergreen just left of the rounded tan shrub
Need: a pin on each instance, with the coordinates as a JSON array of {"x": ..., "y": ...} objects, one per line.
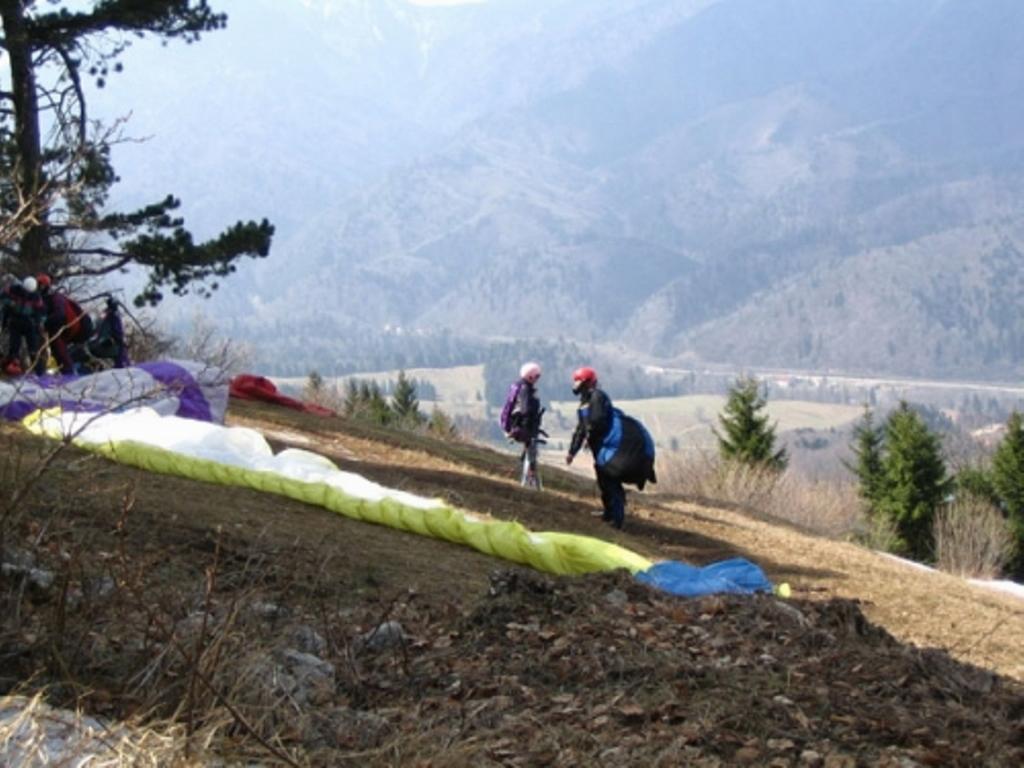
[{"x": 916, "y": 481}]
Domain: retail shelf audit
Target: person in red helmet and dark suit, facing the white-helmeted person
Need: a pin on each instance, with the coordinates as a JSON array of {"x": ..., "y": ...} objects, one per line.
[{"x": 594, "y": 420}]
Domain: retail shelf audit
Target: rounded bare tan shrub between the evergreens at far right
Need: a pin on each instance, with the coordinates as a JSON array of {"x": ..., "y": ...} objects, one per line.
[{"x": 972, "y": 539}]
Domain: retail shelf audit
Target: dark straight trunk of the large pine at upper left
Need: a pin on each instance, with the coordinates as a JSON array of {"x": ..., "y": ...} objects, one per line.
[{"x": 29, "y": 174}]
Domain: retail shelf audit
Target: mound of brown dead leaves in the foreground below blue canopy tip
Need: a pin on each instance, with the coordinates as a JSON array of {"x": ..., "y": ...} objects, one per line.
[{"x": 550, "y": 671}]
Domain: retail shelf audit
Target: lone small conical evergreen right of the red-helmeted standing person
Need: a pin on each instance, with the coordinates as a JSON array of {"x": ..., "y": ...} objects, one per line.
[{"x": 748, "y": 438}]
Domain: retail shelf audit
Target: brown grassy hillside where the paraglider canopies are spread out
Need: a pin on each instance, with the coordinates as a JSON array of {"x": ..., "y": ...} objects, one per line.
[{"x": 199, "y": 607}]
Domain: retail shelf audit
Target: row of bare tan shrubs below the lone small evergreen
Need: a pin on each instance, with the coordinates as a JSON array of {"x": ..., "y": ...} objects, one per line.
[{"x": 830, "y": 508}]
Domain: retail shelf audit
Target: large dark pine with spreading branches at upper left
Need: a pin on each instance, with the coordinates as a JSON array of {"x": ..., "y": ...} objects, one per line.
[{"x": 56, "y": 184}]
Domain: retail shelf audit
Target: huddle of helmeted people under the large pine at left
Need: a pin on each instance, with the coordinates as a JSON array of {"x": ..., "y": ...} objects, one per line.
[{"x": 41, "y": 322}]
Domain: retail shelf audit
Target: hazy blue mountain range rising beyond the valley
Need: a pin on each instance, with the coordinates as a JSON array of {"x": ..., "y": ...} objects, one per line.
[{"x": 794, "y": 184}]
